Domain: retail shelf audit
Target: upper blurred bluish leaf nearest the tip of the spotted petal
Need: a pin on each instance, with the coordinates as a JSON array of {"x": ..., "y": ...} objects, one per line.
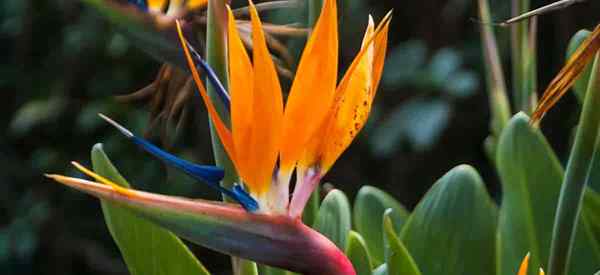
[{"x": 403, "y": 63}]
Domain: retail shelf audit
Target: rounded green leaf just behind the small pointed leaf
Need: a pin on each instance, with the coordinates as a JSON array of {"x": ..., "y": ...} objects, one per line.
[{"x": 369, "y": 207}]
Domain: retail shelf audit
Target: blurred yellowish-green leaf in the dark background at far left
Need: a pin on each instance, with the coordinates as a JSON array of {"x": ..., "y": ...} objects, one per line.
[{"x": 34, "y": 113}]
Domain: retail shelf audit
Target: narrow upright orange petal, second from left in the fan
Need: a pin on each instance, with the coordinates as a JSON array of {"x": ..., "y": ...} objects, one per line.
[{"x": 241, "y": 82}]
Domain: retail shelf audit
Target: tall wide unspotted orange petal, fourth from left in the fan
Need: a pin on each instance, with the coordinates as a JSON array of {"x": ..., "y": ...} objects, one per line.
[{"x": 313, "y": 88}]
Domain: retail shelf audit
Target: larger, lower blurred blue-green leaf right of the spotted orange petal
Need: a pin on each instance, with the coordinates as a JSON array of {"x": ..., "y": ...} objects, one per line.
[{"x": 420, "y": 121}]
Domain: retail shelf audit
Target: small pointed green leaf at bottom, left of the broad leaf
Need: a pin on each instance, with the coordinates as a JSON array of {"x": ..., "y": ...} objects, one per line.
[{"x": 398, "y": 259}]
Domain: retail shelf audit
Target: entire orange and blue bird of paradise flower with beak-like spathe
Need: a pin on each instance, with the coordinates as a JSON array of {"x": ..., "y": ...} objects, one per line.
[{"x": 267, "y": 143}]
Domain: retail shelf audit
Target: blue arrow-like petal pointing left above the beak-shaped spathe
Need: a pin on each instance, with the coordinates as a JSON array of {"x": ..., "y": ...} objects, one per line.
[{"x": 209, "y": 174}]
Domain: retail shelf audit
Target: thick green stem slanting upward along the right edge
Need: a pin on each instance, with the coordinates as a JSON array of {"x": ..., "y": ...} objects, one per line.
[{"x": 569, "y": 204}]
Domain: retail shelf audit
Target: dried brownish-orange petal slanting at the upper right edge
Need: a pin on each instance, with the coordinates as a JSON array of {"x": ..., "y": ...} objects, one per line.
[{"x": 568, "y": 74}]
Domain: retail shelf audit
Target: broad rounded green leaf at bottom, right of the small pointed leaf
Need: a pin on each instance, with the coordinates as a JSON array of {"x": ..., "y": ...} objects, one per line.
[{"x": 452, "y": 230}]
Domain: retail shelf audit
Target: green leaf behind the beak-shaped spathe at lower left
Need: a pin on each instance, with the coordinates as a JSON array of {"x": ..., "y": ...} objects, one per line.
[{"x": 147, "y": 248}]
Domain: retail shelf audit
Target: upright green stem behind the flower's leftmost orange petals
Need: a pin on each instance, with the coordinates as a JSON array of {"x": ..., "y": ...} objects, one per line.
[{"x": 216, "y": 57}]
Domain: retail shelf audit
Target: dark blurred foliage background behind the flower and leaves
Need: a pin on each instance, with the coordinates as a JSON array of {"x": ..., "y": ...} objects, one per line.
[{"x": 61, "y": 64}]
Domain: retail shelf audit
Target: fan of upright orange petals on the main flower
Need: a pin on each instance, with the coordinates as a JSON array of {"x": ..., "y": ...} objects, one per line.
[{"x": 267, "y": 141}]
